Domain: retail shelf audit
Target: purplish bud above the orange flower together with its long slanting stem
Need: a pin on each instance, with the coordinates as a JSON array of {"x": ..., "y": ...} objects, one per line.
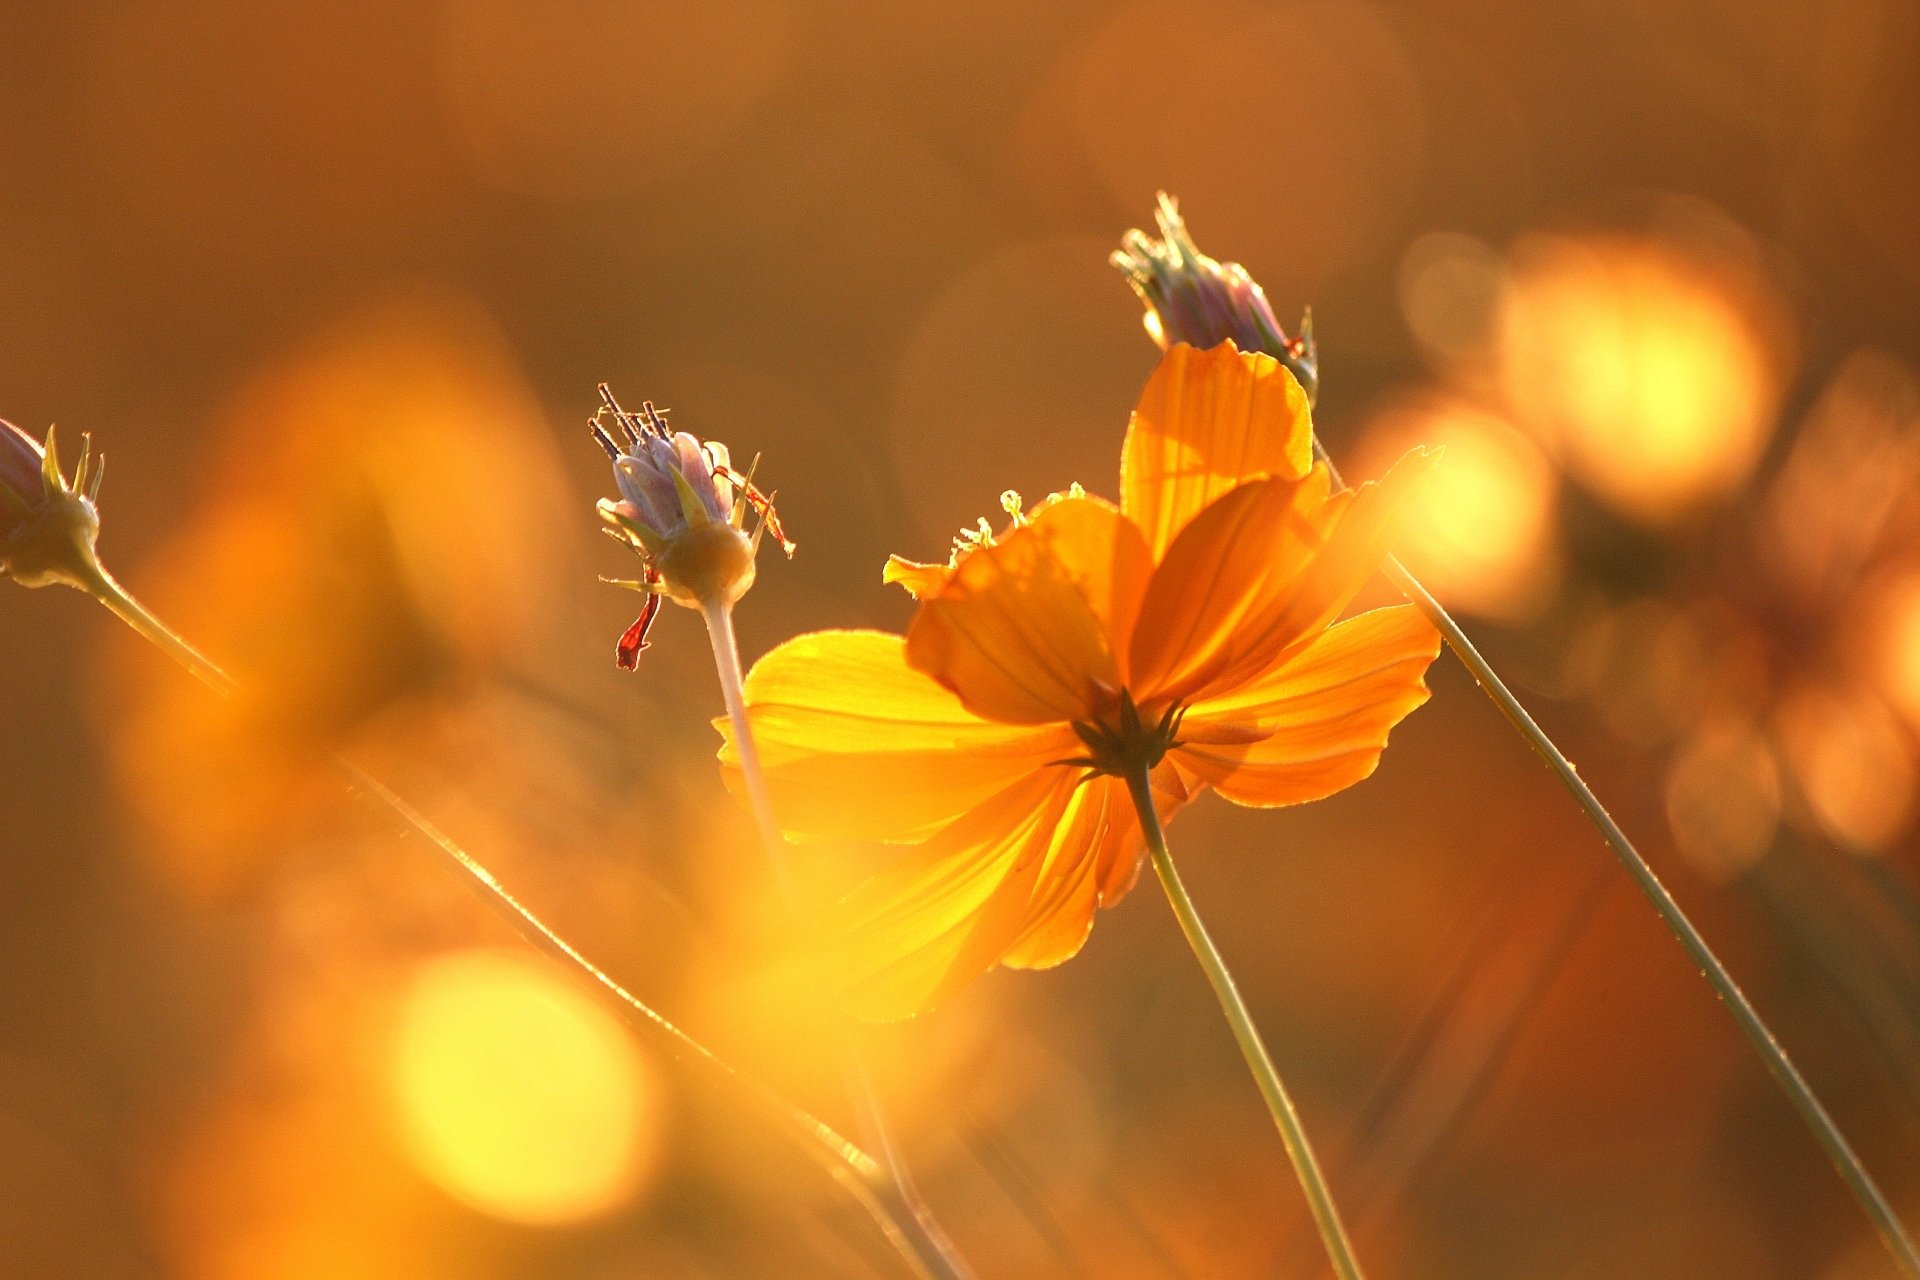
[{"x": 1199, "y": 300}]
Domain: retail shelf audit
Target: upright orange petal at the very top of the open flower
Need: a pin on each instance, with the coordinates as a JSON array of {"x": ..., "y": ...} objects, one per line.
[{"x": 1209, "y": 421}]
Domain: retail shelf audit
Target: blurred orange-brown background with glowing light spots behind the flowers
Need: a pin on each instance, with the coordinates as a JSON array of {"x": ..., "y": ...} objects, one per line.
[{"x": 335, "y": 285}]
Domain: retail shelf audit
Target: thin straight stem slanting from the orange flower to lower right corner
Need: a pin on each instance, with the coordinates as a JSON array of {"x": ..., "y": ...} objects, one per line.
[{"x": 1825, "y": 1131}]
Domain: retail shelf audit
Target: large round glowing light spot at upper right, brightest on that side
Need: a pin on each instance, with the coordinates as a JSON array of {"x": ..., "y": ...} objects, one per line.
[{"x": 1646, "y": 371}]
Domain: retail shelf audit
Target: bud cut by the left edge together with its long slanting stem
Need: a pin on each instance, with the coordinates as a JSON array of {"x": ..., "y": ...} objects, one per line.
[{"x": 49, "y": 538}]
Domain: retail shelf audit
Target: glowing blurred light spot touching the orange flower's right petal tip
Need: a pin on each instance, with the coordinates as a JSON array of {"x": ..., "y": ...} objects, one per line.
[{"x": 1479, "y": 531}]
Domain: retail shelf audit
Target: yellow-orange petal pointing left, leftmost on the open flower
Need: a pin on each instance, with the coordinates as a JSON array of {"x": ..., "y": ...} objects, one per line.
[{"x": 859, "y": 746}]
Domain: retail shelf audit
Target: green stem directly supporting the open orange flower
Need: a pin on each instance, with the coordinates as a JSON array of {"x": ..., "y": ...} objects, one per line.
[{"x": 1293, "y": 1133}]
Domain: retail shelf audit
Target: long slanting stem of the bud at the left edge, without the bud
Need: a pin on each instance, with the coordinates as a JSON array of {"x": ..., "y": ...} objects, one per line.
[{"x": 852, "y": 1168}]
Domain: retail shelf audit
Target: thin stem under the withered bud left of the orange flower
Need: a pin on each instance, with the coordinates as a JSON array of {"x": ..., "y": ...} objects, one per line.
[{"x": 938, "y": 1250}]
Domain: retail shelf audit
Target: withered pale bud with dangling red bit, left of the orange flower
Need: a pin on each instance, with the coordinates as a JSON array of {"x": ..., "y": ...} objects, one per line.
[{"x": 683, "y": 510}]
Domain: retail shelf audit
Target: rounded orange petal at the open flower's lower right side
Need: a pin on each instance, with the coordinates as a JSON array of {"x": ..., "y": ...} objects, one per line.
[{"x": 1322, "y": 719}]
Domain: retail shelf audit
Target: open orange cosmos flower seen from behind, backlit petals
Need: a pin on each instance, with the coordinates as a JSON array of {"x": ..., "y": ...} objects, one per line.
[{"x": 1189, "y": 632}]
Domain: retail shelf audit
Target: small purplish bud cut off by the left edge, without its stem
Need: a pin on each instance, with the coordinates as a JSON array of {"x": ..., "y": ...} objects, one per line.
[{"x": 47, "y": 523}]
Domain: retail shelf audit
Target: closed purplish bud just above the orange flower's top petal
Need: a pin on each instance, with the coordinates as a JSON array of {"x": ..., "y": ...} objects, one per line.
[{"x": 1203, "y": 302}]
